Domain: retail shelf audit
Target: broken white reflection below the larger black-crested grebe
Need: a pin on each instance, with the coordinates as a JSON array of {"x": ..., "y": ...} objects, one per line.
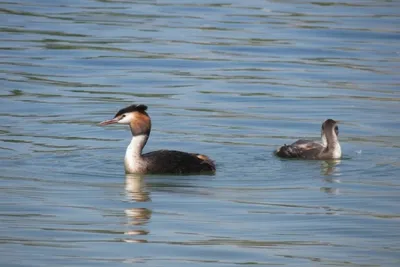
[{"x": 135, "y": 189}]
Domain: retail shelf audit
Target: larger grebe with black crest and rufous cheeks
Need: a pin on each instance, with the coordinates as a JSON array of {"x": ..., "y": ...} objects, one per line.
[{"x": 156, "y": 162}]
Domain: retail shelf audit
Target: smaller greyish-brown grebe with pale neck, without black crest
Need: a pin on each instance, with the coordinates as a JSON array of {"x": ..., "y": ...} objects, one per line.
[{"x": 328, "y": 148}]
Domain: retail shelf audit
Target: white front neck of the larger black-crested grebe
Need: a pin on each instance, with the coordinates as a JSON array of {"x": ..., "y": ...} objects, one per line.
[{"x": 133, "y": 155}]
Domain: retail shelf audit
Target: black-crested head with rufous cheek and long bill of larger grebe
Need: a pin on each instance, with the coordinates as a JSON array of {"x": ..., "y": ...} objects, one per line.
[{"x": 134, "y": 115}]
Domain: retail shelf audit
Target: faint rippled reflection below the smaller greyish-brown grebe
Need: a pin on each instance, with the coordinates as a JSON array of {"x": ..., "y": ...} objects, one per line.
[{"x": 331, "y": 170}]
